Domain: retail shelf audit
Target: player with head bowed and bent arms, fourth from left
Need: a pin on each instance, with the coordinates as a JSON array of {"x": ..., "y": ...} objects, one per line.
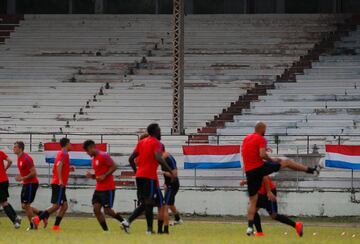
[{"x": 104, "y": 194}]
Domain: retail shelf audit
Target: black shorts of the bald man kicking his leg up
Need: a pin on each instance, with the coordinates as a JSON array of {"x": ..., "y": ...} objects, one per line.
[{"x": 254, "y": 177}]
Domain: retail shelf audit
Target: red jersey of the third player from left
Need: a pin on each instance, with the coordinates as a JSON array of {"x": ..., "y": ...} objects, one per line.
[{"x": 62, "y": 156}]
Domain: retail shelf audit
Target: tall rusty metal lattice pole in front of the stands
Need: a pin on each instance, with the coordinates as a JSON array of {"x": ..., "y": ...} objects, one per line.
[{"x": 178, "y": 68}]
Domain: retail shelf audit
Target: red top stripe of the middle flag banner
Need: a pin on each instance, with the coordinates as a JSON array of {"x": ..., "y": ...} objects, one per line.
[{"x": 211, "y": 149}]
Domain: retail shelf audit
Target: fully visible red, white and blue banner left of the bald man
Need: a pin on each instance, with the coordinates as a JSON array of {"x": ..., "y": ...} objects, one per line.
[{"x": 211, "y": 156}]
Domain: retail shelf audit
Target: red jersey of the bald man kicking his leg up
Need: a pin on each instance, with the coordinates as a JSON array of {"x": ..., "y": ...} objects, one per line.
[{"x": 251, "y": 151}]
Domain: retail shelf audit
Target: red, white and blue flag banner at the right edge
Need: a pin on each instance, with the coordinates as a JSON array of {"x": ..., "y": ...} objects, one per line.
[{"x": 342, "y": 156}]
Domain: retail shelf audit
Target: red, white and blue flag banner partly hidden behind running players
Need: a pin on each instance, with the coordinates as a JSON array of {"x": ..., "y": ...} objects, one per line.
[{"x": 77, "y": 154}]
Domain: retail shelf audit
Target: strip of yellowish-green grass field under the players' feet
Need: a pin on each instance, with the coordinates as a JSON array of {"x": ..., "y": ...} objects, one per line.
[{"x": 86, "y": 230}]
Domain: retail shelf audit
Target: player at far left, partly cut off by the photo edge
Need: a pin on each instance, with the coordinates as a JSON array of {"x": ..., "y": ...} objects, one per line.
[{"x": 4, "y": 190}]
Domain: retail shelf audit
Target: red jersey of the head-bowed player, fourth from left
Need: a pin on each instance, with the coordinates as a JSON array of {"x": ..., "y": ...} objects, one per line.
[{"x": 101, "y": 164}]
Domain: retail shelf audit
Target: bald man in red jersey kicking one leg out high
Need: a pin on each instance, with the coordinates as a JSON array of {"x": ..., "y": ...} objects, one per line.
[{"x": 257, "y": 164}]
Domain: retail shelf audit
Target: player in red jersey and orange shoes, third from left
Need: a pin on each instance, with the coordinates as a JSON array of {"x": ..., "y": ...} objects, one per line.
[{"x": 61, "y": 172}]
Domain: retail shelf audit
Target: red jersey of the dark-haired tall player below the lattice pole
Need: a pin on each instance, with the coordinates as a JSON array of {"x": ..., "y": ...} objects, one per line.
[{"x": 147, "y": 164}]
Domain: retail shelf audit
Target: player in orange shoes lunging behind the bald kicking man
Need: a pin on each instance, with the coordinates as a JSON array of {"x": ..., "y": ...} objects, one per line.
[{"x": 267, "y": 200}]
